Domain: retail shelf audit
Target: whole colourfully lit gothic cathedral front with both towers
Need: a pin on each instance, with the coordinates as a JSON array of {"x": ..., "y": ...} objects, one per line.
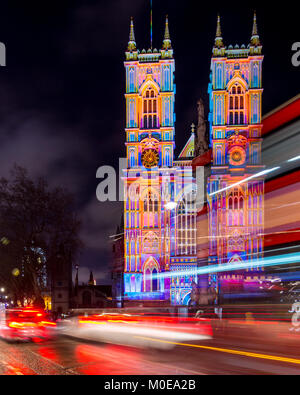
[{"x": 160, "y": 259}]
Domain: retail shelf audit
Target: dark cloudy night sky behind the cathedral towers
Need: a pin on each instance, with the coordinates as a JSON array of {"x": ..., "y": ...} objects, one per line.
[{"x": 62, "y": 91}]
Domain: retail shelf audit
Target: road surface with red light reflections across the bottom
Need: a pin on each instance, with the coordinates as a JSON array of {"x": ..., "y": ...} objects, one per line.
[{"x": 225, "y": 353}]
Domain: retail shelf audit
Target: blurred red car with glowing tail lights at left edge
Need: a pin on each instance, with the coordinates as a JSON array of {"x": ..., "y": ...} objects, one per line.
[{"x": 25, "y": 324}]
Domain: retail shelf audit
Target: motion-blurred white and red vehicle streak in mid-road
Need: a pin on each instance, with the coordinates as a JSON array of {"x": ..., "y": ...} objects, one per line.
[{"x": 150, "y": 330}]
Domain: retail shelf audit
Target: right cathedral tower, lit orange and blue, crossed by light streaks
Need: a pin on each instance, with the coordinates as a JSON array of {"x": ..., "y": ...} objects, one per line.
[{"x": 235, "y": 195}]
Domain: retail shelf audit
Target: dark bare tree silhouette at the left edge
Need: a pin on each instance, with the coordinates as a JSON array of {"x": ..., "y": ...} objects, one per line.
[{"x": 38, "y": 231}]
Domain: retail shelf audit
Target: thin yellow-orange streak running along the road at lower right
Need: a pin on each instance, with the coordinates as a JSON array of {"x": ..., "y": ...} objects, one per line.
[{"x": 230, "y": 351}]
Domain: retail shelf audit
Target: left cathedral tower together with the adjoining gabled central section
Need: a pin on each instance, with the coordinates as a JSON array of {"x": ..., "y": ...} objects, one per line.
[{"x": 159, "y": 220}]
